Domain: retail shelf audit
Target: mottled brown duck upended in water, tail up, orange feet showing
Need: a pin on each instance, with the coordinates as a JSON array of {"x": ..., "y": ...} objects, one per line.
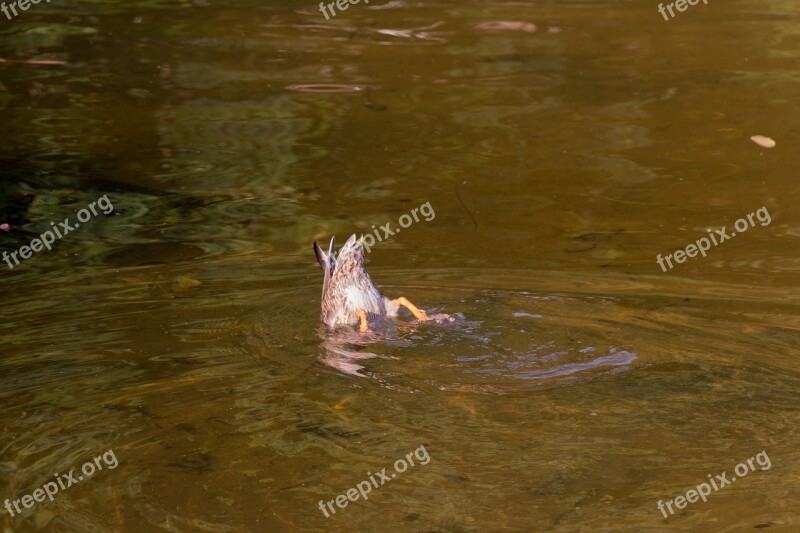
[{"x": 348, "y": 295}]
